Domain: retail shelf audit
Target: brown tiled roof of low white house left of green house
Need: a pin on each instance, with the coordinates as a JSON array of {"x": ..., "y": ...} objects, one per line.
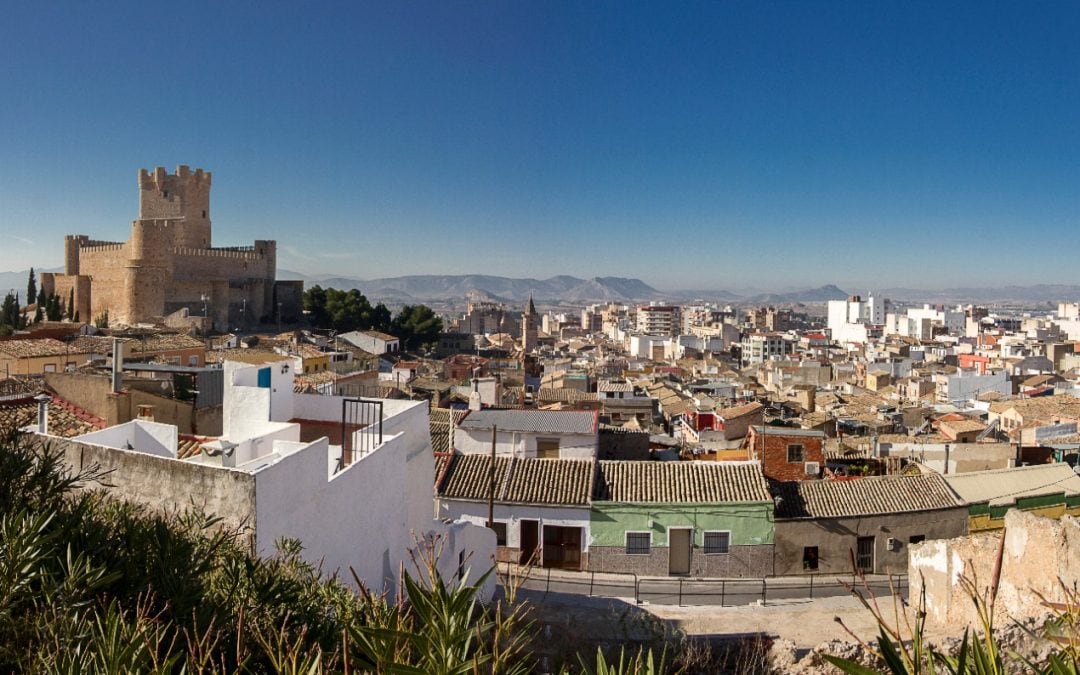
[{"x": 557, "y": 482}]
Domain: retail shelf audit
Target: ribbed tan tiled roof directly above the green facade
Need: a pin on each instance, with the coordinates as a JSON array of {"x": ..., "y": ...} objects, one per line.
[{"x": 679, "y": 482}]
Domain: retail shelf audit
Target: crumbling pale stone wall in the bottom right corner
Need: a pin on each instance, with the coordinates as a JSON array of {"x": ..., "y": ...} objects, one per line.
[{"x": 1039, "y": 556}]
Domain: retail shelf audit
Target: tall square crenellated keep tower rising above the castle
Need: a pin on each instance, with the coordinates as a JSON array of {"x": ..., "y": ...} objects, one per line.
[{"x": 184, "y": 197}]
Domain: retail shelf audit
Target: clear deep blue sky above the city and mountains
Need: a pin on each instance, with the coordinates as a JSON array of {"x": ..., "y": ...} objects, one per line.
[{"x": 714, "y": 145}]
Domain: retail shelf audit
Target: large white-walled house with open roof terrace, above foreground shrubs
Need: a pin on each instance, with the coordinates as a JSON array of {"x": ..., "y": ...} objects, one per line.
[{"x": 356, "y": 490}]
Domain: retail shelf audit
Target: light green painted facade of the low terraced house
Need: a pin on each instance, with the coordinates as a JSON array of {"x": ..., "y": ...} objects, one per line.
[{"x": 750, "y": 523}]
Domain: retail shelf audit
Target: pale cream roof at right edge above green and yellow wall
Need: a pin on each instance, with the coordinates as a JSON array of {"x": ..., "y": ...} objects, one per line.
[{"x": 1003, "y": 487}]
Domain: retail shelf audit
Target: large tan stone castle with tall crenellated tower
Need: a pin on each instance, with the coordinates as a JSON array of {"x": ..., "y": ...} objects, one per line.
[{"x": 168, "y": 271}]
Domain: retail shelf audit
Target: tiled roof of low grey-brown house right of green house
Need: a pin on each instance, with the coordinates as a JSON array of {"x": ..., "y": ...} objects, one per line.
[{"x": 871, "y": 496}]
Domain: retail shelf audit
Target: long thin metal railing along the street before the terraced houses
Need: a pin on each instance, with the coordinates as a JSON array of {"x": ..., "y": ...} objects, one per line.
[{"x": 691, "y": 591}]
